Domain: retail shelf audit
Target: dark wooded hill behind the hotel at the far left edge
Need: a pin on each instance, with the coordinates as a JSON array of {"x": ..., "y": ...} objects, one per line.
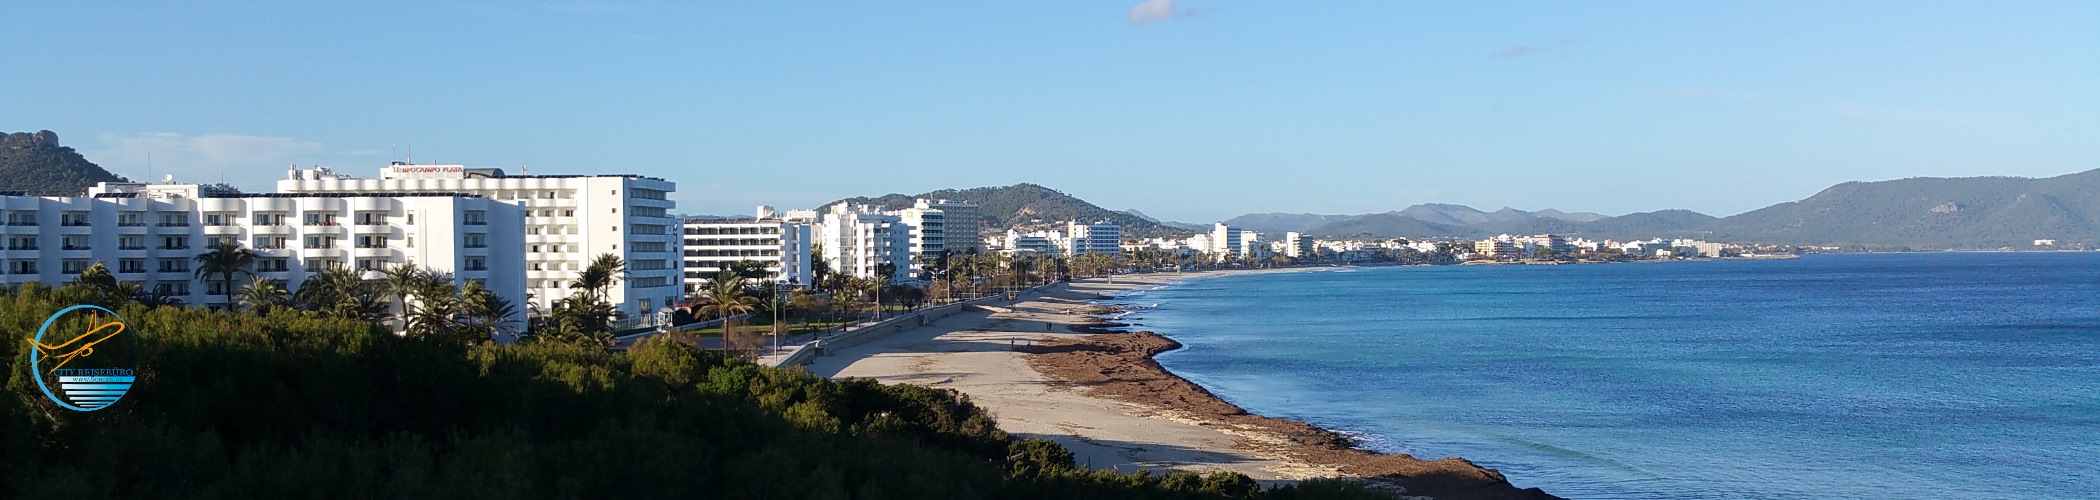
[{"x": 41, "y": 167}]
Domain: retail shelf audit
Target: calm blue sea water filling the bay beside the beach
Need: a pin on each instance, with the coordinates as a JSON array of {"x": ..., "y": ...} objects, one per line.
[{"x": 1826, "y": 377}]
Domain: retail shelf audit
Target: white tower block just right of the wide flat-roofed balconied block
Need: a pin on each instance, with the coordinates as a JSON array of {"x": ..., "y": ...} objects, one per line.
[{"x": 858, "y": 241}]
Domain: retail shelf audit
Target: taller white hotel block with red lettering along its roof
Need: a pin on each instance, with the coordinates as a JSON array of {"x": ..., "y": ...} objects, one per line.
[{"x": 568, "y": 222}]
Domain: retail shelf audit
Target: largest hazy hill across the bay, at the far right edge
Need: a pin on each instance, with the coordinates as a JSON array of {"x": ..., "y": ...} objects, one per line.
[{"x": 1931, "y": 213}]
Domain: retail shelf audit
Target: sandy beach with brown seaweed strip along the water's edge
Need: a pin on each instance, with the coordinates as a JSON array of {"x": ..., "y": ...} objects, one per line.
[{"x": 1043, "y": 371}]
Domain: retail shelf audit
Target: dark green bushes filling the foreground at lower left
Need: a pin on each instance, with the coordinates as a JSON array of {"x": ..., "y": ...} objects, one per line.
[{"x": 297, "y": 404}]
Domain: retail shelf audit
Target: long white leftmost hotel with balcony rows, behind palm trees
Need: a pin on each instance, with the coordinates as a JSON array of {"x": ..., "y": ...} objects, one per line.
[{"x": 152, "y": 236}]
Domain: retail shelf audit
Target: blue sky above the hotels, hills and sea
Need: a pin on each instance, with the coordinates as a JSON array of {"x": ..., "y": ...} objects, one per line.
[{"x": 1185, "y": 110}]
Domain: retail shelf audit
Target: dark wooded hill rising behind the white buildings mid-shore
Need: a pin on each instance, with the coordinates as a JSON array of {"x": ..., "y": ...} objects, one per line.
[{"x": 1022, "y": 205}]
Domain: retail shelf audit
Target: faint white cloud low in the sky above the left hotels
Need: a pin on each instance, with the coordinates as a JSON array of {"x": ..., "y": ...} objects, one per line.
[{"x": 251, "y": 163}]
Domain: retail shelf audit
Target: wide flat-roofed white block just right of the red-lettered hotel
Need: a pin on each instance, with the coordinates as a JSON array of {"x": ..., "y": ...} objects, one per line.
[{"x": 713, "y": 245}]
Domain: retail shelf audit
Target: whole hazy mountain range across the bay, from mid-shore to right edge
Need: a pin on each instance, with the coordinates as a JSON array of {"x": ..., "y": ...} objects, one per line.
[{"x": 1908, "y": 213}]
